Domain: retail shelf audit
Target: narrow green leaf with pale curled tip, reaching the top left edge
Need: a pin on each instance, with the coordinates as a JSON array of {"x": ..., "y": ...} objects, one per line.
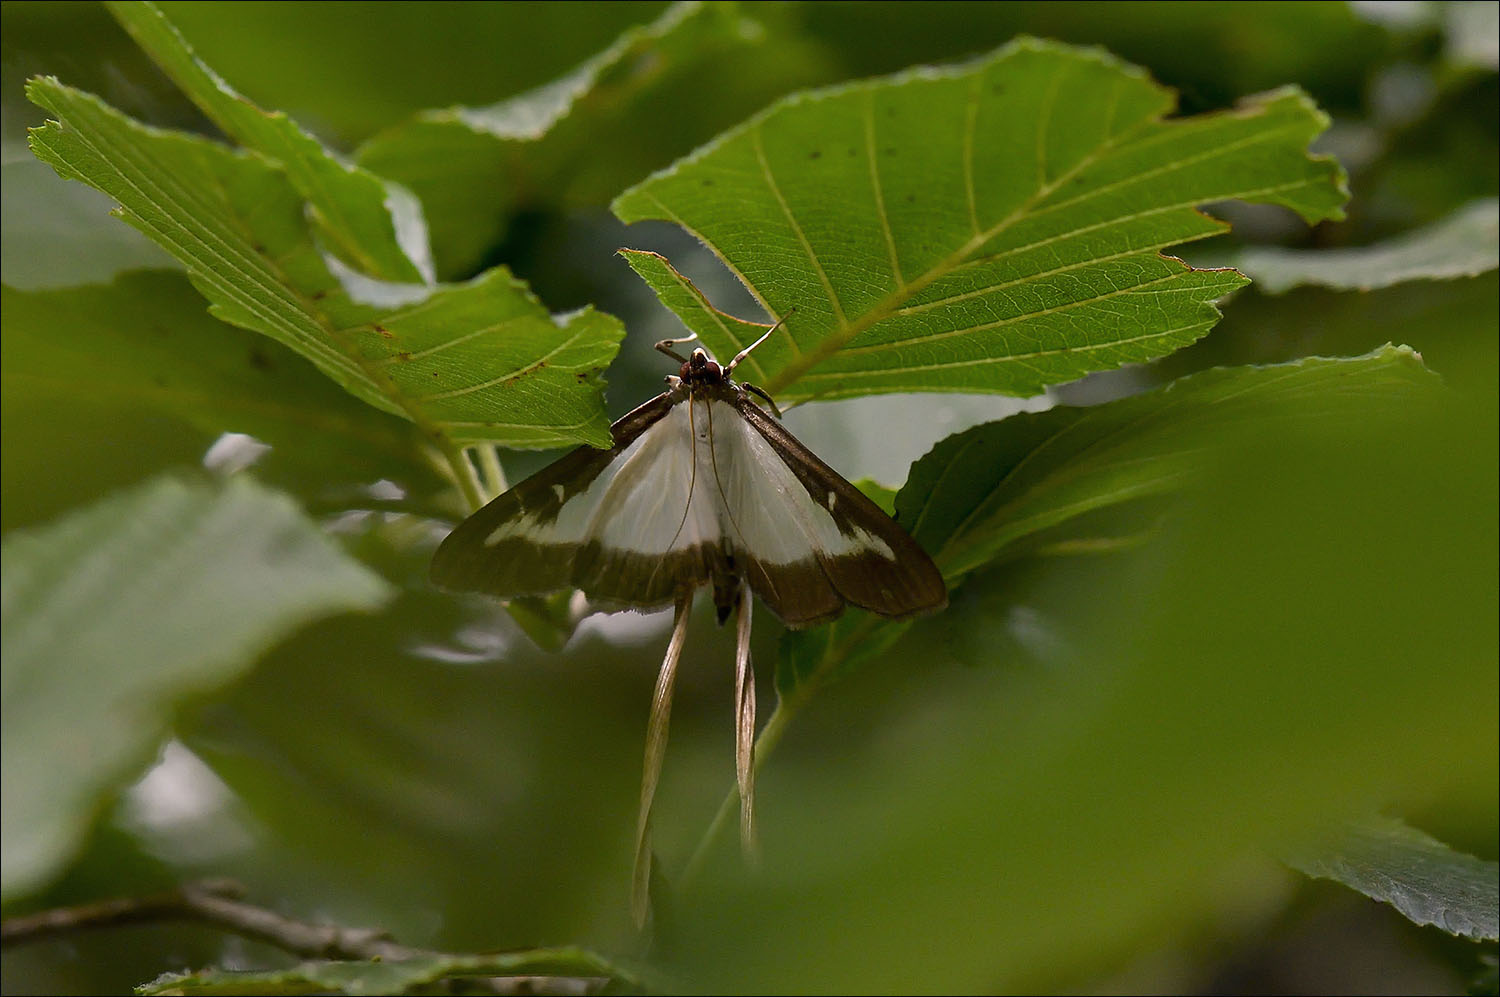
[{"x": 352, "y": 208}]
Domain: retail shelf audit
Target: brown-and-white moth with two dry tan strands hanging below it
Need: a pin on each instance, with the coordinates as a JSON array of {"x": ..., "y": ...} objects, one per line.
[{"x": 701, "y": 490}]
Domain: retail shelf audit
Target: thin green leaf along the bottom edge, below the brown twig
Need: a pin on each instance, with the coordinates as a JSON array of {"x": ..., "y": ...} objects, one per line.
[{"x": 391, "y": 978}]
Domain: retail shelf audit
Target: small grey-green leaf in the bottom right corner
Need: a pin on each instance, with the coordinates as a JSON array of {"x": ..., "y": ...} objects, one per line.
[{"x": 1415, "y": 873}]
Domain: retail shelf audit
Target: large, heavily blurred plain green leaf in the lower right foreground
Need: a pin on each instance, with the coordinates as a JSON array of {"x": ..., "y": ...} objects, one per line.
[{"x": 1309, "y": 636}]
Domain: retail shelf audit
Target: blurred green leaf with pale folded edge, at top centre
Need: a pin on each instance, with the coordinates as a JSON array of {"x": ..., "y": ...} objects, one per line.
[{"x": 475, "y": 167}]
